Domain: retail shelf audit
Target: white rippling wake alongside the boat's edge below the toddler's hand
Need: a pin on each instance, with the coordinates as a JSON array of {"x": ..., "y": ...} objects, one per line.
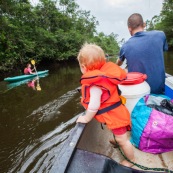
[{"x": 41, "y": 154}]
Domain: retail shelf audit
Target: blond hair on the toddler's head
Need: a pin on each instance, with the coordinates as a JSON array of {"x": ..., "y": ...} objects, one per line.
[{"x": 92, "y": 56}]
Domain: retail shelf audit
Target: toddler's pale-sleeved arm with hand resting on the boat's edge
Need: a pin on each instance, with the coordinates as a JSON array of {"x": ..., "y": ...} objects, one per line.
[{"x": 94, "y": 104}]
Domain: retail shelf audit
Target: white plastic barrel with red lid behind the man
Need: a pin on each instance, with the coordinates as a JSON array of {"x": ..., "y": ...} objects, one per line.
[{"x": 134, "y": 88}]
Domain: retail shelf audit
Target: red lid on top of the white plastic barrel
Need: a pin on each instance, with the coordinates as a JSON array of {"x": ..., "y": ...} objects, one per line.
[{"x": 134, "y": 78}]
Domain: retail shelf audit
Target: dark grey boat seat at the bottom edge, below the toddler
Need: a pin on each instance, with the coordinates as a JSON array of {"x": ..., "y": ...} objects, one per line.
[{"x": 88, "y": 162}]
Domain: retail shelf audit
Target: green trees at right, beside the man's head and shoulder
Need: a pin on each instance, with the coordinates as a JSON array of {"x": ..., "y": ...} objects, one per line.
[{"x": 164, "y": 21}]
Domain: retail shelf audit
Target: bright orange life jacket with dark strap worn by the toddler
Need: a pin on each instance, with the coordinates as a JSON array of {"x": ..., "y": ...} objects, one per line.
[{"x": 111, "y": 111}]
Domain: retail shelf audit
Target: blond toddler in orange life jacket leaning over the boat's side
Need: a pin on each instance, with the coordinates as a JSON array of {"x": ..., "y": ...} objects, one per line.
[{"x": 100, "y": 96}]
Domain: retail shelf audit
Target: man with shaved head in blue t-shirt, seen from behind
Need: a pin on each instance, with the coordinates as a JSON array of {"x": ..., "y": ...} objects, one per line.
[{"x": 144, "y": 53}]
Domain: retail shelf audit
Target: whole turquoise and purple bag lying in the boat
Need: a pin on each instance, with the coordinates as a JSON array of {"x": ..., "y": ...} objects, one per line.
[{"x": 152, "y": 130}]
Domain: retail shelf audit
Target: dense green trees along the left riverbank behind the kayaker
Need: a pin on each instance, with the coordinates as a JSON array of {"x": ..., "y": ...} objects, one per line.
[{"x": 50, "y": 31}]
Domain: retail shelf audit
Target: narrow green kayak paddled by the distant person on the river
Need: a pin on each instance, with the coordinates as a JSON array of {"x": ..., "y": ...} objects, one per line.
[{"x": 23, "y": 77}]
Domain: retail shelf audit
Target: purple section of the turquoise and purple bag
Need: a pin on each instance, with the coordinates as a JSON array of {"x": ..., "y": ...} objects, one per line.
[{"x": 157, "y": 136}]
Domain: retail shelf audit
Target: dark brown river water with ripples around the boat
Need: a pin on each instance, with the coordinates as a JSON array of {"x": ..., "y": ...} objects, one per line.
[{"x": 34, "y": 124}]
